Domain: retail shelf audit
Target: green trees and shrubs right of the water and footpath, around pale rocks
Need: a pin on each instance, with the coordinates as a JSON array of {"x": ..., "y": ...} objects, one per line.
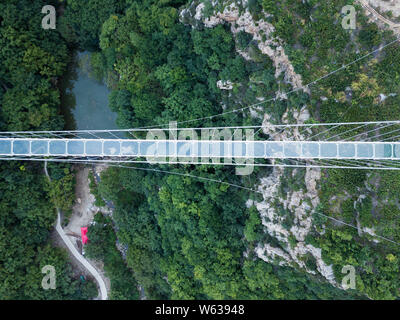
[{"x": 192, "y": 234}]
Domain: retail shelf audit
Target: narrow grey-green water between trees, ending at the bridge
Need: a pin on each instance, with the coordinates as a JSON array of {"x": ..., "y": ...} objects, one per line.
[{"x": 84, "y": 100}]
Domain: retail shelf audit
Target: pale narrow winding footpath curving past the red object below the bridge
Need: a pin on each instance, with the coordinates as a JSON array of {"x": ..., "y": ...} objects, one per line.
[{"x": 76, "y": 254}]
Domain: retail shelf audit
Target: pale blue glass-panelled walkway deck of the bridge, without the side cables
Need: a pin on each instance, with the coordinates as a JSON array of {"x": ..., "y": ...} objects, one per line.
[{"x": 29, "y": 147}]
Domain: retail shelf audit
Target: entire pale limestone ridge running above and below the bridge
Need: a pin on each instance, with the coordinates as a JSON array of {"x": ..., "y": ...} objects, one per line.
[{"x": 300, "y": 204}]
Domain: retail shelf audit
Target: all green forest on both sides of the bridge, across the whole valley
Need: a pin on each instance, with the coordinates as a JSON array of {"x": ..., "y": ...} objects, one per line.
[{"x": 188, "y": 238}]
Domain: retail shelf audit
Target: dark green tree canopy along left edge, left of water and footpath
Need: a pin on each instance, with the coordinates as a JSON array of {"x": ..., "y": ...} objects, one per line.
[{"x": 31, "y": 60}]
